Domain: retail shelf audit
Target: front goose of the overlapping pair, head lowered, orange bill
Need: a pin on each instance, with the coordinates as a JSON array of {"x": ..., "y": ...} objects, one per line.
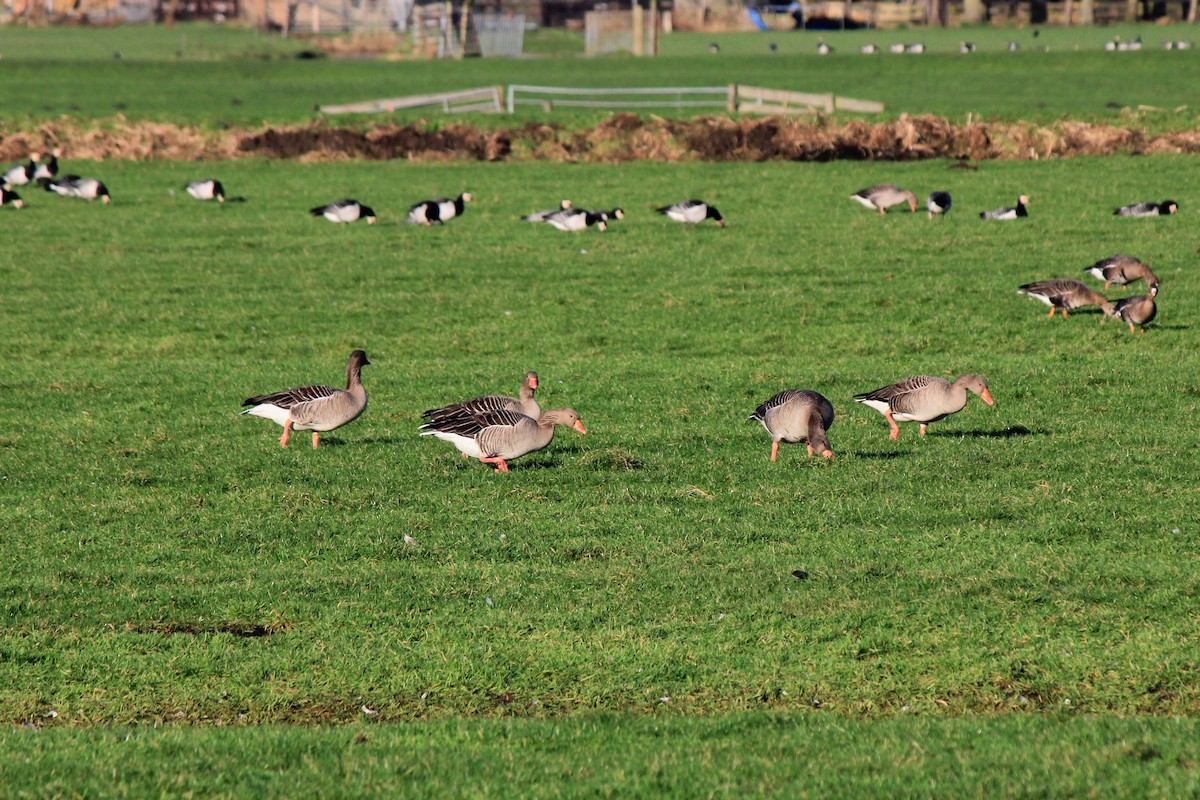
[{"x": 500, "y": 437}]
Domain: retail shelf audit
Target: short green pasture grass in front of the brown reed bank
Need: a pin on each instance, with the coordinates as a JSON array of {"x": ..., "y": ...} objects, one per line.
[{"x": 1028, "y": 572}]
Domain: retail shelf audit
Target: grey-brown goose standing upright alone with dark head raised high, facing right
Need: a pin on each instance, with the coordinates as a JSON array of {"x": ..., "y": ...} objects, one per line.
[{"x": 316, "y": 408}]
